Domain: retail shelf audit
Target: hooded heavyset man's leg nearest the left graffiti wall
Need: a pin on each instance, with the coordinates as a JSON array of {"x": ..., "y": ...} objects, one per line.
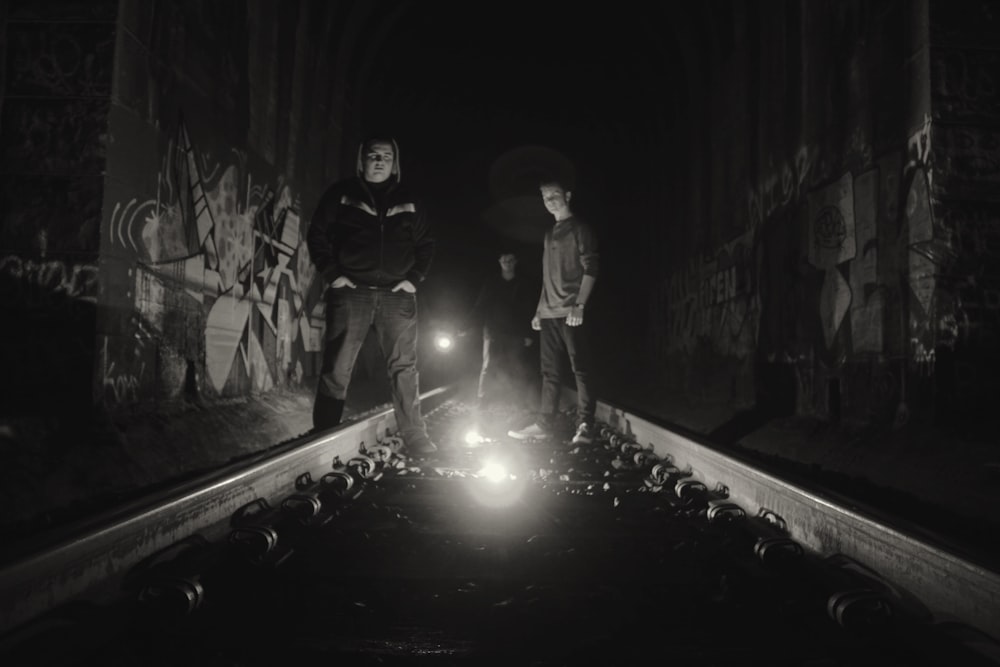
[{"x": 348, "y": 317}]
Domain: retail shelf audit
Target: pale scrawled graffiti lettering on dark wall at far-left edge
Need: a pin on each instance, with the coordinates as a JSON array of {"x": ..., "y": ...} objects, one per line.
[{"x": 37, "y": 283}]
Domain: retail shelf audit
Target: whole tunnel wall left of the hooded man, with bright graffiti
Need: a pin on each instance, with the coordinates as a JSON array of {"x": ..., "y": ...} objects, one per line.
[{"x": 183, "y": 145}]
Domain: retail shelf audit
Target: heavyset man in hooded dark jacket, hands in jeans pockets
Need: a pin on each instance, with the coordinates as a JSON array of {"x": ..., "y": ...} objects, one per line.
[{"x": 370, "y": 242}]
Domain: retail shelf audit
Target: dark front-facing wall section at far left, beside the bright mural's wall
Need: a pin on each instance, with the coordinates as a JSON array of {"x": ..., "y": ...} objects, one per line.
[{"x": 57, "y": 63}]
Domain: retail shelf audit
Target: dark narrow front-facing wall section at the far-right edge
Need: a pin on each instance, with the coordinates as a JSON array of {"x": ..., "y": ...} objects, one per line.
[{"x": 963, "y": 317}]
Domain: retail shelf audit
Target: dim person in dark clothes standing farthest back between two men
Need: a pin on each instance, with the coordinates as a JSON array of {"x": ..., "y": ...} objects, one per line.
[{"x": 503, "y": 307}]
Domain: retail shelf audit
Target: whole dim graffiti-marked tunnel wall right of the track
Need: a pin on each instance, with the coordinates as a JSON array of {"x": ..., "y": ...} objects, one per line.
[{"x": 832, "y": 215}]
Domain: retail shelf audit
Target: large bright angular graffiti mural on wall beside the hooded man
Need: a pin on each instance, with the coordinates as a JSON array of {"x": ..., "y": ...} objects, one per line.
[{"x": 234, "y": 245}]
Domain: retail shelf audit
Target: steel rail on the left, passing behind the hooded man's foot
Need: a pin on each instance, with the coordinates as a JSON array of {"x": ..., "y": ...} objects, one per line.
[{"x": 84, "y": 560}]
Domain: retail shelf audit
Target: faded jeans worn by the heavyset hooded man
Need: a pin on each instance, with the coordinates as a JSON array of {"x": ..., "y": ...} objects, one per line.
[{"x": 350, "y": 314}]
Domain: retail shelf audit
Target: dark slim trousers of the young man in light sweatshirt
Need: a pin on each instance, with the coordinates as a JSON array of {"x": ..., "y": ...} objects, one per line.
[{"x": 558, "y": 342}]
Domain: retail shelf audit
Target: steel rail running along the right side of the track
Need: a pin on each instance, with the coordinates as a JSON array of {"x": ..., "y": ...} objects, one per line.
[{"x": 949, "y": 583}]
